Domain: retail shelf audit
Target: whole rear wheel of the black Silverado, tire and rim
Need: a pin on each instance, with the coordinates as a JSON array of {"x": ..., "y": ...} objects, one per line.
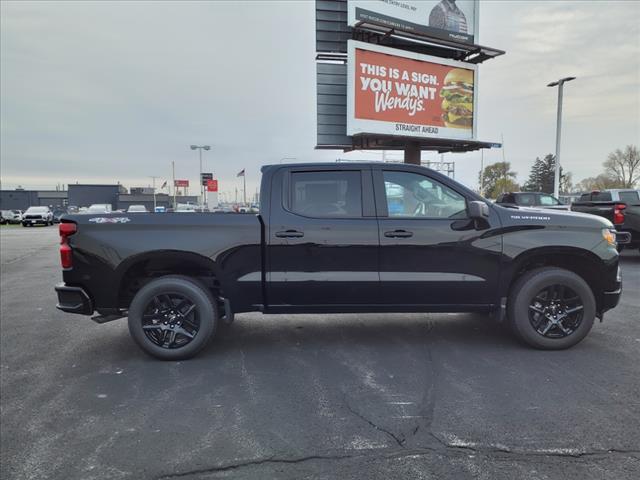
[{"x": 174, "y": 287}]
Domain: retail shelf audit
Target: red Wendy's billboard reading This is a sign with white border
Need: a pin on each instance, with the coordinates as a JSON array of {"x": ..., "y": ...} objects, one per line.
[{"x": 399, "y": 93}]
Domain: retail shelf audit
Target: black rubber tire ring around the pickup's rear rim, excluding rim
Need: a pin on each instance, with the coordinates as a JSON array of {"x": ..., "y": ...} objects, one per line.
[{"x": 205, "y": 309}]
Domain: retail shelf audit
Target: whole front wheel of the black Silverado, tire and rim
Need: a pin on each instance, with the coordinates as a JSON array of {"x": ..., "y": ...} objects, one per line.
[{"x": 527, "y": 302}]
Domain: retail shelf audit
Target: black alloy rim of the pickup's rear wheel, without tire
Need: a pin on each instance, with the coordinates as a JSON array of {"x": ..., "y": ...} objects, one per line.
[{"x": 170, "y": 320}]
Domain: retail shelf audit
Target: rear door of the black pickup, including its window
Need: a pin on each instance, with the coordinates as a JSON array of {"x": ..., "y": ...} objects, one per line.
[{"x": 322, "y": 239}]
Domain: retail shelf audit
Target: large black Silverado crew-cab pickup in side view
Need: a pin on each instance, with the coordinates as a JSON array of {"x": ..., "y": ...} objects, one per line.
[{"x": 341, "y": 237}]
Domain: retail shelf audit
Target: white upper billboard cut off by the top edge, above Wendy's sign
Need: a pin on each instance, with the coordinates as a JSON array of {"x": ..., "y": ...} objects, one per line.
[{"x": 455, "y": 20}]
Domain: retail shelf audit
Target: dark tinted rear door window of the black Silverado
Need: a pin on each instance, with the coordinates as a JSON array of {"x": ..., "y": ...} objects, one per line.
[{"x": 326, "y": 194}]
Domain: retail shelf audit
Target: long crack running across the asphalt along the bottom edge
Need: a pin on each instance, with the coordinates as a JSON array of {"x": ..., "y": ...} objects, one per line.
[{"x": 394, "y": 454}]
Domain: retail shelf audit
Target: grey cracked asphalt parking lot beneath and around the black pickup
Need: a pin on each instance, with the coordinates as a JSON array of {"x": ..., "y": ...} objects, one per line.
[{"x": 322, "y": 396}]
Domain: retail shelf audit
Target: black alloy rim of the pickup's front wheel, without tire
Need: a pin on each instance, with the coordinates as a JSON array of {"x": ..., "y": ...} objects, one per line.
[{"x": 556, "y": 311}]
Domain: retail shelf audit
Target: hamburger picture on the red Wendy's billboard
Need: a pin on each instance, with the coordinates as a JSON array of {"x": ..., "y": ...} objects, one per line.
[{"x": 457, "y": 98}]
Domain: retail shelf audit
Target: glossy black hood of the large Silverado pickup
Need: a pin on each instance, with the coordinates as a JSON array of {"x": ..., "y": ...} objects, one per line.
[{"x": 540, "y": 216}]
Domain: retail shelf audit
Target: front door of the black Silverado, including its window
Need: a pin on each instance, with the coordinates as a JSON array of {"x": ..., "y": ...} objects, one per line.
[{"x": 430, "y": 252}]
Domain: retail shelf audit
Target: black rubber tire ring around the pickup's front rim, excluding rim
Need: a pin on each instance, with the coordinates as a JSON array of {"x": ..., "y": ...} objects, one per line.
[{"x": 533, "y": 283}]
